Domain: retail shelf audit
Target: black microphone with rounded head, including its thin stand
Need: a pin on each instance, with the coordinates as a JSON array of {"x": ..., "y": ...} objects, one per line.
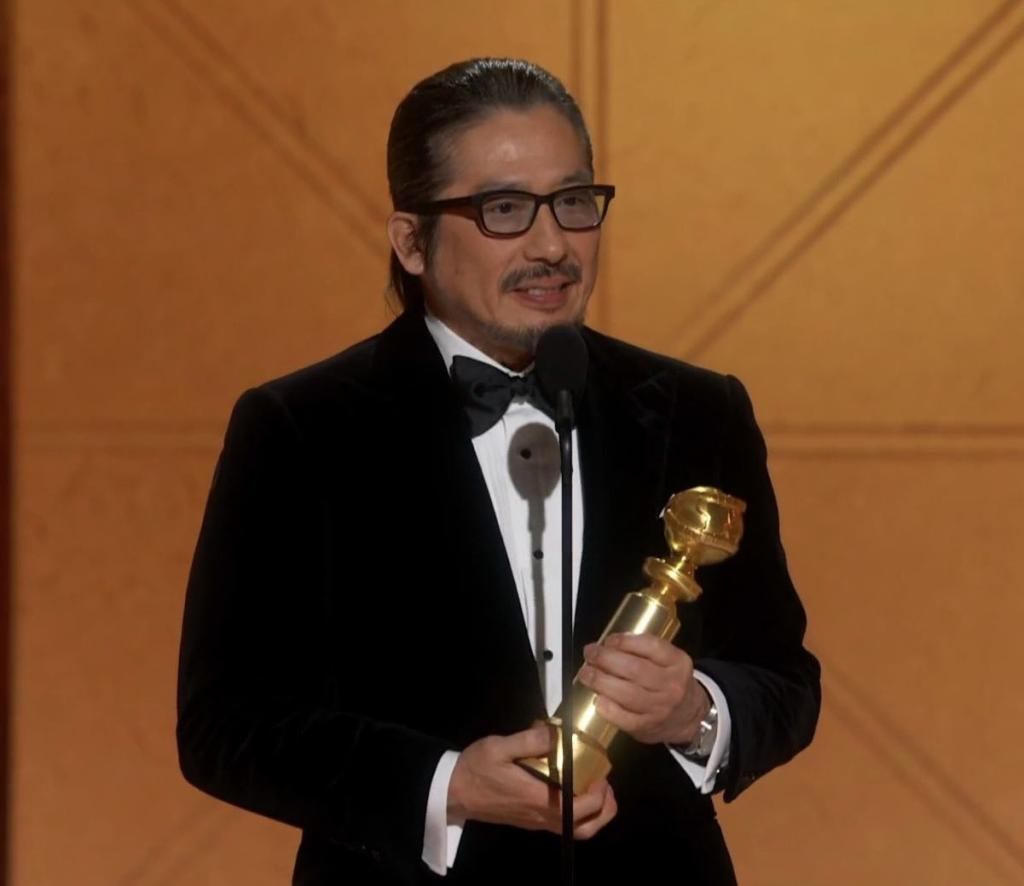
[{"x": 561, "y": 364}]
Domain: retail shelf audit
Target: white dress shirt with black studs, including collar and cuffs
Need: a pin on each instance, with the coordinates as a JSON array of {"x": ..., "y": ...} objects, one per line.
[{"x": 520, "y": 460}]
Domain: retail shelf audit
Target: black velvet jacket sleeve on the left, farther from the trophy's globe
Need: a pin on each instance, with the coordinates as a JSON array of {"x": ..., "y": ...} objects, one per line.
[{"x": 263, "y": 716}]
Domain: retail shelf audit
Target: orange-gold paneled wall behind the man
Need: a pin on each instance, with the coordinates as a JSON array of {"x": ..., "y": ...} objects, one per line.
[{"x": 827, "y": 199}]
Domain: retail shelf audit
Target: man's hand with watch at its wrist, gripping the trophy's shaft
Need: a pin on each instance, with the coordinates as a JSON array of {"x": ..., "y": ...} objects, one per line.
[{"x": 647, "y": 688}]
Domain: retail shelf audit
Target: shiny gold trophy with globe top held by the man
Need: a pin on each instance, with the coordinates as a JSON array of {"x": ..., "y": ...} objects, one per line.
[{"x": 703, "y": 526}]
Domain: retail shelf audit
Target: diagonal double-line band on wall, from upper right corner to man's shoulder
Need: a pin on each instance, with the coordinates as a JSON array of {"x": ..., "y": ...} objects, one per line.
[{"x": 754, "y": 276}]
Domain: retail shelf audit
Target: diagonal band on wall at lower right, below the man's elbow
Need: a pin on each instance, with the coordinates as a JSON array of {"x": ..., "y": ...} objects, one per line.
[{"x": 925, "y": 777}]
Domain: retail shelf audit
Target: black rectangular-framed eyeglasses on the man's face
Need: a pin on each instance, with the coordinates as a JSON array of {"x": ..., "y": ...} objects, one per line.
[{"x": 506, "y": 214}]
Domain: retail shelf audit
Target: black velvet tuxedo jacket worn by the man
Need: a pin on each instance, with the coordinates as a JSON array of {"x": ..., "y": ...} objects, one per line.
[{"x": 352, "y": 613}]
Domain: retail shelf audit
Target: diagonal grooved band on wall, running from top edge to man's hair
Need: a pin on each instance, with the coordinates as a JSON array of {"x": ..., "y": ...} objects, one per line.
[{"x": 245, "y": 98}]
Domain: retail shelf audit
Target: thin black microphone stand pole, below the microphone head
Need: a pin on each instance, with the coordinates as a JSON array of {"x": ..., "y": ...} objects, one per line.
[{"x": 564, "y": 425}]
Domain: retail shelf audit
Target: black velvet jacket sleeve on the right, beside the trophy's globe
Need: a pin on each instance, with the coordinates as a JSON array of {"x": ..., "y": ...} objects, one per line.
[{"x": 754, "y": 621}]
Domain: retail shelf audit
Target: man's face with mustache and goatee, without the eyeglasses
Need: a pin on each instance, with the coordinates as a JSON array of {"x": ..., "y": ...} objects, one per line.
[{"x": 501, "y": 293}]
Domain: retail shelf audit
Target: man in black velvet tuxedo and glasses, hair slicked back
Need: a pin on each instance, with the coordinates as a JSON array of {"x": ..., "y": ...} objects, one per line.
[{"x": 372, "y": 624}]
